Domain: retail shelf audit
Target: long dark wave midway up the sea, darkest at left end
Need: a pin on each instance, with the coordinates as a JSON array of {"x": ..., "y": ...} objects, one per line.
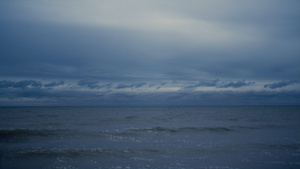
[{"x": 13, "y": 134}]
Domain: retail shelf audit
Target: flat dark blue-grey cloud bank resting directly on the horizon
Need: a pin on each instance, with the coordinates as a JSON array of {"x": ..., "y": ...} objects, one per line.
[{"x": 181, "y": 98}]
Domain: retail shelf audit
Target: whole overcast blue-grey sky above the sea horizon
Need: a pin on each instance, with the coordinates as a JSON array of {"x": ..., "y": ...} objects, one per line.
[{"x": 149, "y": 53}]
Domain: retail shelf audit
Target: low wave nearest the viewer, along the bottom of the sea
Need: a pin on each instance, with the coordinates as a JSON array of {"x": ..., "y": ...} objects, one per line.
[{"x": 109, "y": 152}]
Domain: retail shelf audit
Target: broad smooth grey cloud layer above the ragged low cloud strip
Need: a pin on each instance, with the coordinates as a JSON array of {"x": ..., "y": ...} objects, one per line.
[{"x": 58, "y": 49}]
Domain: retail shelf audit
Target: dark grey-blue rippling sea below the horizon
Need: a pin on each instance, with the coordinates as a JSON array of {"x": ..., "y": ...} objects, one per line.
[{"x": 238, "y": 137}]
